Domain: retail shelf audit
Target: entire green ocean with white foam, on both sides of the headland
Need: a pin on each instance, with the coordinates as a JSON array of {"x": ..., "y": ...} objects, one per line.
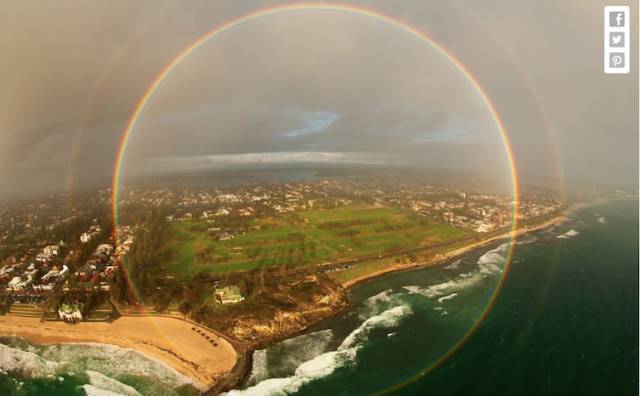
[{"x": 564, "y": 322}]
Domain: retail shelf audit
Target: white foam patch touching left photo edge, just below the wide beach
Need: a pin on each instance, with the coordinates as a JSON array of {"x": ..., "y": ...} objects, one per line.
[{"x": 24, "y": 363}]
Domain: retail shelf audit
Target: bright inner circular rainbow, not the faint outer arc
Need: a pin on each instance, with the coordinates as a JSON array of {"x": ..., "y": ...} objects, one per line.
[{"x": 375, "y": 15}]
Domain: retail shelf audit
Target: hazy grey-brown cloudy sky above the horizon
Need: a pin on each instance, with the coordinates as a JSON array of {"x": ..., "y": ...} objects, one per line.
[{"x": 310, "y": 87}]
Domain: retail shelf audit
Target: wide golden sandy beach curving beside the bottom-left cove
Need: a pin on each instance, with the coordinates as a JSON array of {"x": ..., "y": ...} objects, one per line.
[{"x": 170, "y": 340}]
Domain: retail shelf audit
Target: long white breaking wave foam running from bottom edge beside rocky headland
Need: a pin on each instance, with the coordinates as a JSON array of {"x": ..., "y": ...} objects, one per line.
[{"x": 326, "y": 363}]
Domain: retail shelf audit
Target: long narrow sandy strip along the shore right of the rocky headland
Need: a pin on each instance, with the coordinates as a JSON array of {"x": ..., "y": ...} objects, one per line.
[{"x": 440, "y": 258}]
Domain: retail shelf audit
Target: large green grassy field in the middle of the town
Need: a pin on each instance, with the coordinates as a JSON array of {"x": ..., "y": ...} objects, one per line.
[{"x": 304, "y": 238}]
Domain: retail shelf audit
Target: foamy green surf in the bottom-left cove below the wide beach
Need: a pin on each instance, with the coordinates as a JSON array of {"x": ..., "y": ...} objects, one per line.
[{"x": 84, "y": 369}]
